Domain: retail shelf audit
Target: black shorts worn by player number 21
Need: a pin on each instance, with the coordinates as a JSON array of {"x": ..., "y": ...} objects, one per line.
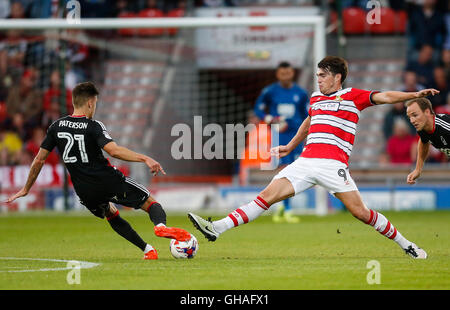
[{"x": 126, "y": 192}]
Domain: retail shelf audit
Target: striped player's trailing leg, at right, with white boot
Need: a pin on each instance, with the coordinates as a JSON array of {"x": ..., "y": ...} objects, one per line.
[{"x": 353, "y": 202}]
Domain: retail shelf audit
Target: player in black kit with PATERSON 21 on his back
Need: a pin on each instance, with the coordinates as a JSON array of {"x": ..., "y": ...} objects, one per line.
[{"x": 80, "y": 140}]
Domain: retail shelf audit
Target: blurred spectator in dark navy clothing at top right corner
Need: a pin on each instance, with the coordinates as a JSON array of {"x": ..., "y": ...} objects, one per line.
[{"x": 428, "y": 27}]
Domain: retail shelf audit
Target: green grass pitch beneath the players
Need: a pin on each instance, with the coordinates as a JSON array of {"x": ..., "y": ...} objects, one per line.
[{"x": 330, "y": 252}]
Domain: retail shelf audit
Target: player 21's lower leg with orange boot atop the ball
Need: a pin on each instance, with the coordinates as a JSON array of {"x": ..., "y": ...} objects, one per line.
[{"x": 158, "y": 217}]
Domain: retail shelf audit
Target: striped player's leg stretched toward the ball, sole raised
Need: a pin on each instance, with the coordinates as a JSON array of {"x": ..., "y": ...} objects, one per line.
[{"x": 277, "y": 190}]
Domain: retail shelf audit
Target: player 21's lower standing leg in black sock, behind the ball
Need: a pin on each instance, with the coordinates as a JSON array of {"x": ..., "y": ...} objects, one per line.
[{"x": 124, "y": 229}]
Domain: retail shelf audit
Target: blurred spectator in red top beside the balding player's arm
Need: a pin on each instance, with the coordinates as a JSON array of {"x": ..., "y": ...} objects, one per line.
[{"x": 401, "y": 146}]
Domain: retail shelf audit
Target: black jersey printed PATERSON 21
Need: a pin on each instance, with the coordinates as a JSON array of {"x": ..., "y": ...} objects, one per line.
[{"x": 80, "y": 141}]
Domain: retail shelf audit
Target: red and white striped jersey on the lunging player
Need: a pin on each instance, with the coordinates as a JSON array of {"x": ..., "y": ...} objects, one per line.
[{"x": 334, "y": 119}]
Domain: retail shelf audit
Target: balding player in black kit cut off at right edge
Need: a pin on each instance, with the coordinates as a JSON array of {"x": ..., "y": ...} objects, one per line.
[{"x": 433, "y": 129}]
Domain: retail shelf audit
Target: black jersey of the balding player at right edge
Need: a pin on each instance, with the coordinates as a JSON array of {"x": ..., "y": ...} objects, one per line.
[{"x": 440, "y": 136}]
